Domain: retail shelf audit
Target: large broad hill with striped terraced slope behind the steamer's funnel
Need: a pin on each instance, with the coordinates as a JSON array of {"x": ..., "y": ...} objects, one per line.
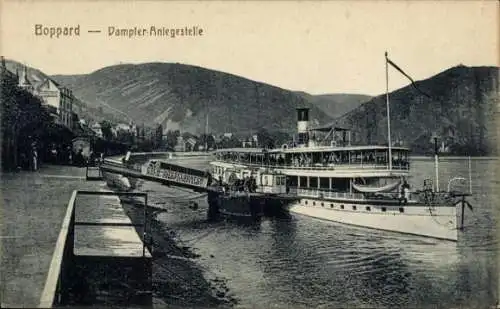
[{"x": 180, "y": 96}]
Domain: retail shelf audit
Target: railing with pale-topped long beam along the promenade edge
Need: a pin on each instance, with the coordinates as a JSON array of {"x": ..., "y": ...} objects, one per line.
[{"x": 61, "y": 265}]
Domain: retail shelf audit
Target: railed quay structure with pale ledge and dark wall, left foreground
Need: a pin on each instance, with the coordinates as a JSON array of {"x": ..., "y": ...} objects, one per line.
[{"x": 99, "y": 269}]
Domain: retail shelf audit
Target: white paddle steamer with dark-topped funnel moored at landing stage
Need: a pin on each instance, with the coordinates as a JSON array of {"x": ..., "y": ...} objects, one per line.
[{"x": 333, "y": 179}]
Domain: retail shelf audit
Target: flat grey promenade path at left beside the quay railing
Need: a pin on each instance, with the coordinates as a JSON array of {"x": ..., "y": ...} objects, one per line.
[{"x": 32, "y": 208}]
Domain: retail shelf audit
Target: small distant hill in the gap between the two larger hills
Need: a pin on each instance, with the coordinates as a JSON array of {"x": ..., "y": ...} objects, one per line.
[{"x": 336, "y": 105}]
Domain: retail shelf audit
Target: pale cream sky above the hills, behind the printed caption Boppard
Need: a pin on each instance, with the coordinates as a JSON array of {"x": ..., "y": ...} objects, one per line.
[{"x": 313, "y": 46}]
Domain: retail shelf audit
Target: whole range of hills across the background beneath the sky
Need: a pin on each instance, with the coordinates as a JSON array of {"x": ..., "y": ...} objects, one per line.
[{"x": 461, "y": 109}]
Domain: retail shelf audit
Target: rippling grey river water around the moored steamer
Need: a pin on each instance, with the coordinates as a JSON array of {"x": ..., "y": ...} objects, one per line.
[{"x": 304, "y": 262}]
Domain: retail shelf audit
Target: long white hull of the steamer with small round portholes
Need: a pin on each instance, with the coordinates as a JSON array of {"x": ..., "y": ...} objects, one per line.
[{"x": 435, "y": 222}]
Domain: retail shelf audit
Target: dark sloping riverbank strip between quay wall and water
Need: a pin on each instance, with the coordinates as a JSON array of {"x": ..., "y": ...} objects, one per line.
[{"x": 178, "y": 281}]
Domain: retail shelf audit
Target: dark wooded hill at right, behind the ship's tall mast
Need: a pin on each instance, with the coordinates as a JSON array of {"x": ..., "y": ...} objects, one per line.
[{"x": 461, "y": 110}]
